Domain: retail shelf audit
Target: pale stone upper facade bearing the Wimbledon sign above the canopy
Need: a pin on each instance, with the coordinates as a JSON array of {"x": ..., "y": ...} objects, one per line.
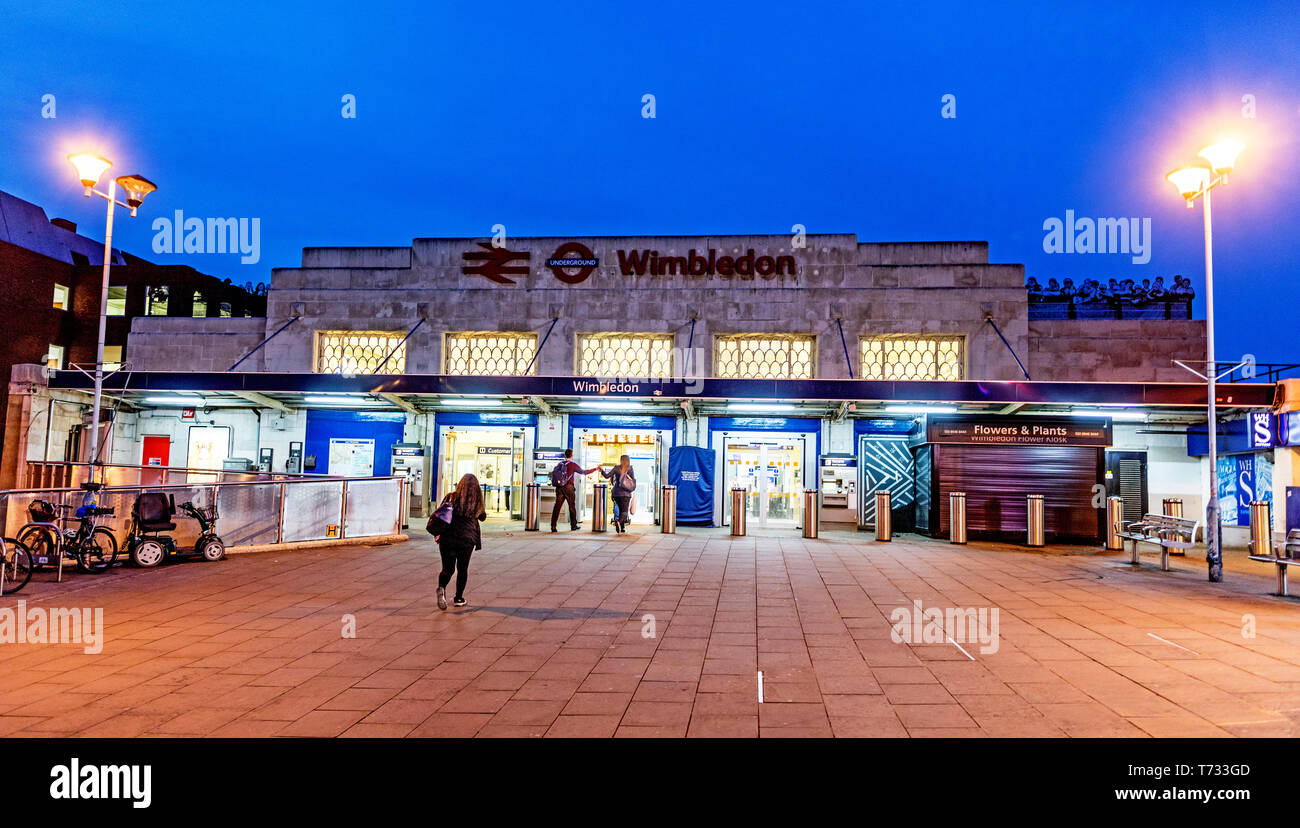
[{"x": 942, "y": 288}]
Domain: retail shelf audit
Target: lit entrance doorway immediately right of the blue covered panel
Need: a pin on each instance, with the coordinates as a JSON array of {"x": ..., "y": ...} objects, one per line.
[{"x": 773, "y": 474}]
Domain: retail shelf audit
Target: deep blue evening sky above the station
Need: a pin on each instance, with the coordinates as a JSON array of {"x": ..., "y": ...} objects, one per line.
[{"x": 768, "y": 115}]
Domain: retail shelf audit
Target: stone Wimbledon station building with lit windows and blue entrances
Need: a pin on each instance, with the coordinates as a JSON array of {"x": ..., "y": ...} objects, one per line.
[{"x": 798, "y": 362}]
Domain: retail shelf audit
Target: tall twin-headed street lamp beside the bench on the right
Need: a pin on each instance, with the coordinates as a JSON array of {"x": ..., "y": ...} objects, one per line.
[{"x": 1195, "y": 183}]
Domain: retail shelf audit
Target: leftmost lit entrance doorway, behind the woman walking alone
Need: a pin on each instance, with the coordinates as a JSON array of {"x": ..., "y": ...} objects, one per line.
[{"x": 496, "y": 457}]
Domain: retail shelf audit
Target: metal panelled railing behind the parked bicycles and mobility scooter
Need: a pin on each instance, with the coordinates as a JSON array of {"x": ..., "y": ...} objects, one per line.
[{"x": 253, "y": 513}]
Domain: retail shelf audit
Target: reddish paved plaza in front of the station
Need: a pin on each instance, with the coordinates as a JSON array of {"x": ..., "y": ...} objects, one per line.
[{"x": 560, "y": 641}]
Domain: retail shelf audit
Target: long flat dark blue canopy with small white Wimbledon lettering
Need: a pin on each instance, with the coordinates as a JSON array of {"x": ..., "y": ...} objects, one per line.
[{"x": 1175, "y": 402}]
